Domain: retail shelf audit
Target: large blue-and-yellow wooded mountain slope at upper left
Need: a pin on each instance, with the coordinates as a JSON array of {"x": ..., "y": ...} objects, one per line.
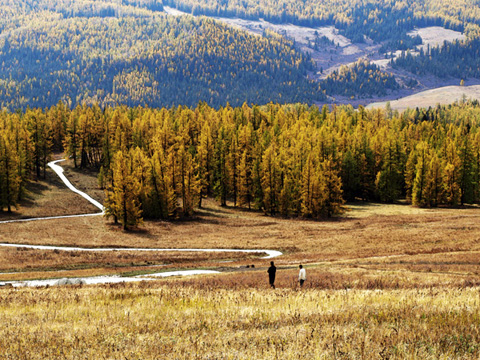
[{"x": 111, "y": 52}]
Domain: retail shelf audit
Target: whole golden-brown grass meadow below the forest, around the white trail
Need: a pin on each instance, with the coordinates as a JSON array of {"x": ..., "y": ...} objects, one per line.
[{"x": 383, "y": 282}]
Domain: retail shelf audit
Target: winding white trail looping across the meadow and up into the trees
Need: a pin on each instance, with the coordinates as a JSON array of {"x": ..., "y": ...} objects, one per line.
[{"x": 111, "y": 279}]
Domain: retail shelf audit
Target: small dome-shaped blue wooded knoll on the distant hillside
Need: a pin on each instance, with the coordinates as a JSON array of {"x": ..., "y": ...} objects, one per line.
[{"x": 360, "y": 80}]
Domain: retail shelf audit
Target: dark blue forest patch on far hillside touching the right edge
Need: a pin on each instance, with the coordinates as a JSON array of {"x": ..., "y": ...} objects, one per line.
[{"x": 460, "y": 59}]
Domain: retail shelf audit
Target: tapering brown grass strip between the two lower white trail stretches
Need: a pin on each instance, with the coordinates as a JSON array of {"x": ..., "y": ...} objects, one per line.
[{"x": 27, "y": 264}]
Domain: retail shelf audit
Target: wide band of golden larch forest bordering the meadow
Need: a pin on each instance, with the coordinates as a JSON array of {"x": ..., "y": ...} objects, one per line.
[{"x": 289, "y": 160}]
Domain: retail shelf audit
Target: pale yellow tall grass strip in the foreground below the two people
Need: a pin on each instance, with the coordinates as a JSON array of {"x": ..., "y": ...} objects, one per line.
[{"x": 171, "y": 321}]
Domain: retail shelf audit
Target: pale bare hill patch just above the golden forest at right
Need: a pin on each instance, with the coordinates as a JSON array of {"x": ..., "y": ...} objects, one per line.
[{"x": 443, "y": 96}]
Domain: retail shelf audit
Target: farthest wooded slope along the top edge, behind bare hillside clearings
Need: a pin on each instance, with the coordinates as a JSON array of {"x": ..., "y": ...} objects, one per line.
[{"x": 379, "y": 20}]
